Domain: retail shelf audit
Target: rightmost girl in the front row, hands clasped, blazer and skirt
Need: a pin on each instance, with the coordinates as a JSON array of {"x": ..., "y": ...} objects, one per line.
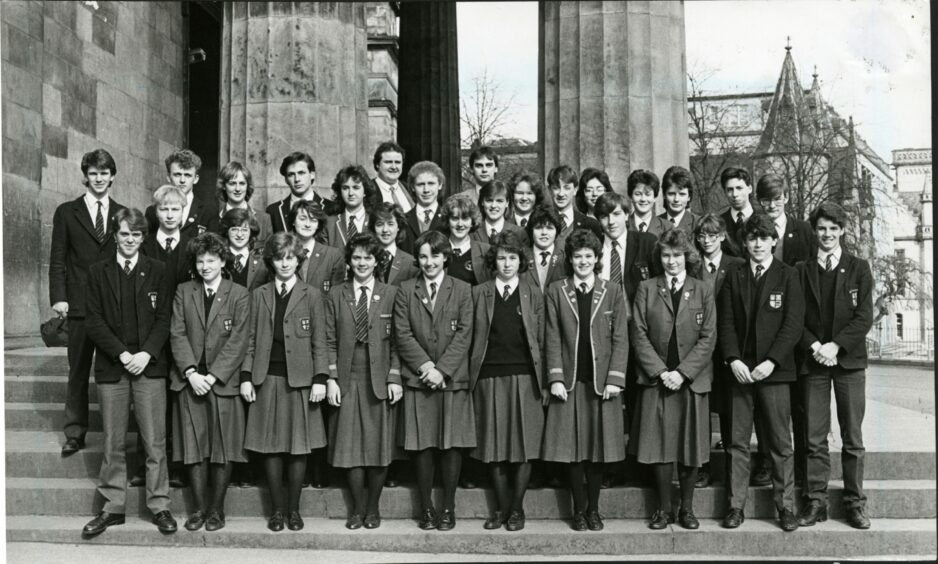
[{"x": 673, "y": 336}]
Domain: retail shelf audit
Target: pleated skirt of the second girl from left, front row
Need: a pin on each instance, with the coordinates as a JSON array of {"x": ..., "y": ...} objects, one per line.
[{"x": 282, "y": 420}]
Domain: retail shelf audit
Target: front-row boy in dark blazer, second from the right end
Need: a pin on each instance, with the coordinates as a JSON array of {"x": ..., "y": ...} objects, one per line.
[{"x": 761, "y": 317}]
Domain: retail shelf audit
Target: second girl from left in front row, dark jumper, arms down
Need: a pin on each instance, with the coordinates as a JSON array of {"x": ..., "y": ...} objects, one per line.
[{"x": 285, "y": 368}]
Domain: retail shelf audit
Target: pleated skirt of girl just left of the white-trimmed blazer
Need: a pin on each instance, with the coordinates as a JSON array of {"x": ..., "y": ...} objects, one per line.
[{"x": 509, "y": 419}]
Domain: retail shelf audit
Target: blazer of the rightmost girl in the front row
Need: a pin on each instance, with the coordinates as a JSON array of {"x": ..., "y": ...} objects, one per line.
[{"x": 696, "y": 331}]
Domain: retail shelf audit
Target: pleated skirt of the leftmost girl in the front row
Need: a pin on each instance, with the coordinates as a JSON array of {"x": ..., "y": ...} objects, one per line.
[{"x": 208, "y": 426}]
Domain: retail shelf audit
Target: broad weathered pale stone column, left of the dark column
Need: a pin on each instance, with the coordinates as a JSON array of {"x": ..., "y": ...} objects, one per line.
[{"x": 294, "y": 78}]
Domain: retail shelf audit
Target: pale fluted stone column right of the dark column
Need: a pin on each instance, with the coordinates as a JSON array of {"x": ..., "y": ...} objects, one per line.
[{"x": 612, "y": 86}]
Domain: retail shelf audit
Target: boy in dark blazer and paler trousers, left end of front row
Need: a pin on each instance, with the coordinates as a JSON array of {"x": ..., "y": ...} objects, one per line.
[{"x": 129, "y": 309}]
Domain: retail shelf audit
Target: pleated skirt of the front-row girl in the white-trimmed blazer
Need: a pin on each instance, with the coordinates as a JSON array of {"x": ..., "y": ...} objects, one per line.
[{"x": 584, "y": 428}]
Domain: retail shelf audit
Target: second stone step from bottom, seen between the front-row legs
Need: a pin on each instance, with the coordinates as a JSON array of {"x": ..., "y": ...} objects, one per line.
[{"x": 887, "y": 499}]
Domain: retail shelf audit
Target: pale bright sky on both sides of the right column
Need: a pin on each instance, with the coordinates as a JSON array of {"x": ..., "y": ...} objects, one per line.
[{"x": 873, "y": 57}]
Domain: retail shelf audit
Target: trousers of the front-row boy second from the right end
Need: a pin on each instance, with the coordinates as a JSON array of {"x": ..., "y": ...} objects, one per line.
[{"x": 773, "y": 401}]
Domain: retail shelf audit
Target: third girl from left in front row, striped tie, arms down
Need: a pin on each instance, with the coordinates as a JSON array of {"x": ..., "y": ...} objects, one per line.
[{"x": 364, "y": 379}]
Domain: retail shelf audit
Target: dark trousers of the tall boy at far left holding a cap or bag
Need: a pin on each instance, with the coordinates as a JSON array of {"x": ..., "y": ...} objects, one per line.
[{"x": 80, "y": 354}]
